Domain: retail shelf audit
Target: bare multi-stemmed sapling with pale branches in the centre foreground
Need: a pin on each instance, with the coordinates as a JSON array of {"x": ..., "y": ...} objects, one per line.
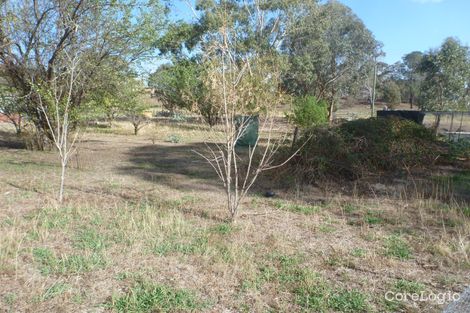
[{"x": 244, "y": 86}]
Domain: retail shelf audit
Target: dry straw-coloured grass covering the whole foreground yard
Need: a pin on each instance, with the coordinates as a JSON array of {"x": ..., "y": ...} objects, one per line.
[{"x": 143, "y": 226}]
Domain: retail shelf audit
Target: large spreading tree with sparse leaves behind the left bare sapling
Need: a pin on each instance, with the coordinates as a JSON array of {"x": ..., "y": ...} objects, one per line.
[{"x": 35, "y": 36}]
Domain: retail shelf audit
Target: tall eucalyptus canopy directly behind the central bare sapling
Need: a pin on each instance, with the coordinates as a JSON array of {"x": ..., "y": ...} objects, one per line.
[{"x": 260, "y": 25}]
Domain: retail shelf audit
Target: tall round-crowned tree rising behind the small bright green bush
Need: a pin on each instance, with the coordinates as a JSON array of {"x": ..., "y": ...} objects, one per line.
[{"x": 328, "y": 45}]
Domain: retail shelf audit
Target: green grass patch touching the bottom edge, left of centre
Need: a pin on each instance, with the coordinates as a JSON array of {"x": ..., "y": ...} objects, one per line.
[{"x": 147, "y": 297}]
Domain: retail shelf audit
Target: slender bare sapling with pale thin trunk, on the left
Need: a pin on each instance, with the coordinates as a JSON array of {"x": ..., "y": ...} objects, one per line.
[{"x": 55, "y": 103}]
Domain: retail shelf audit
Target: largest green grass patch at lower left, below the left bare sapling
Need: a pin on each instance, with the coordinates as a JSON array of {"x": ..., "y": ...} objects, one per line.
[{"x": 49, "y": 263}]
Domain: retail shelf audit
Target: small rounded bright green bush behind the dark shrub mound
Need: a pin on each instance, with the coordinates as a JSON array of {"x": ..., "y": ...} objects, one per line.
[{"x": 309, "y": 111}]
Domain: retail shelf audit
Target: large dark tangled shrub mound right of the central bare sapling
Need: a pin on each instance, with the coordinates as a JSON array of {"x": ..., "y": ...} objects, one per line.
[{"x": 366, "y": 146}]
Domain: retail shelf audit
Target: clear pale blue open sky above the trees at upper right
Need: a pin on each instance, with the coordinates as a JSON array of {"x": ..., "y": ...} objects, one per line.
[{"x": 404, "y": 26}]
